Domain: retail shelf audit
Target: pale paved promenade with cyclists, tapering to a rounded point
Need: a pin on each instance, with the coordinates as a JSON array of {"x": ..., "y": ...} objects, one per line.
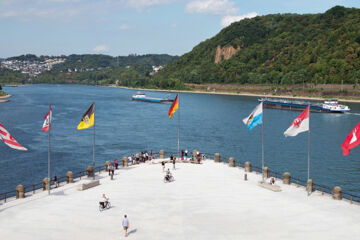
[{"x": 206, "y": 201}]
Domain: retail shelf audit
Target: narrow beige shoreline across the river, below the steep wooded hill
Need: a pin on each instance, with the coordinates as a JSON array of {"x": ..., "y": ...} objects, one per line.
[{"x": 239, "y": 94}]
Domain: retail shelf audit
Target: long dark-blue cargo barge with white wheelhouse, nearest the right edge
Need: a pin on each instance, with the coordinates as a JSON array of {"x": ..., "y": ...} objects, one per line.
[{"x": 329, "y": 106}]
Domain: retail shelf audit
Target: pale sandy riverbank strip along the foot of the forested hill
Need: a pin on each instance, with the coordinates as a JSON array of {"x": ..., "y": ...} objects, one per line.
[{"x": 249, "y": 94}]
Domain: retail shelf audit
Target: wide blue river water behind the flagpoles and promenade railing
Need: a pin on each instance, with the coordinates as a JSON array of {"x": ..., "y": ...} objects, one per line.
[{"x": 210, "y": 123}]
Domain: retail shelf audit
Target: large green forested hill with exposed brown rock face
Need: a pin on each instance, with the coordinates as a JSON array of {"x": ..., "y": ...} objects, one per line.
[{"x": 277, "y": 49}]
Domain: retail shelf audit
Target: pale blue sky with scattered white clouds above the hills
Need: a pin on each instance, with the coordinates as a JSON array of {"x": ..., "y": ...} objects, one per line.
[{"x": 123, "y": 27}]
